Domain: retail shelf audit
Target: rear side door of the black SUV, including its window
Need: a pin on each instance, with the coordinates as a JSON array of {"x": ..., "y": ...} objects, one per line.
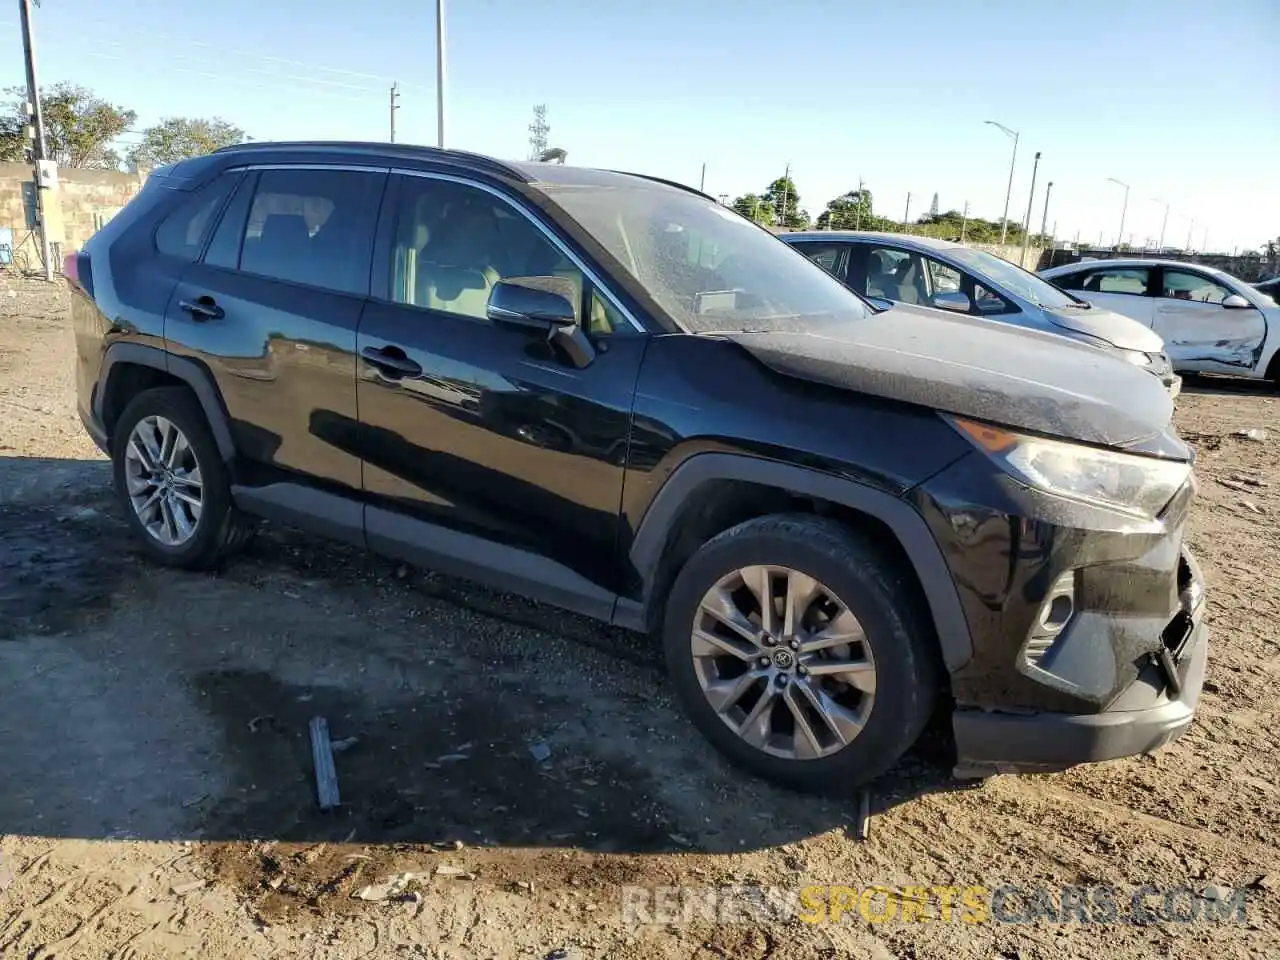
[{"x": 272, "y": 309}]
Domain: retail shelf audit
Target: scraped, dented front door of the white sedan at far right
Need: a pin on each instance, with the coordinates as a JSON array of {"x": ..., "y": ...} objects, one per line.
[{"x": 1203, "y": 335}]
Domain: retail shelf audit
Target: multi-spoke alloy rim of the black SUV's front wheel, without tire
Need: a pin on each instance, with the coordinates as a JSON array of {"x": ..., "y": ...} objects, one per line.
[{"x": 784, "y": 662}]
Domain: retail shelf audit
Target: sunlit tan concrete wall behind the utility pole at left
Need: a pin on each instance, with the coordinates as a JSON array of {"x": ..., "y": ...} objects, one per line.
[{"x": 76, "y": 209}]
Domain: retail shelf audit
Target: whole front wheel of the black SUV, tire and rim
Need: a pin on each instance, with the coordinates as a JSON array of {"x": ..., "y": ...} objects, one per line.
[{"x": 797, "y": 650}]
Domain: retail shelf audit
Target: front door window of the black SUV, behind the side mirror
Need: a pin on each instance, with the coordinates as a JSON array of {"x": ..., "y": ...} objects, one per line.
[{"x": 455, "y": 243}]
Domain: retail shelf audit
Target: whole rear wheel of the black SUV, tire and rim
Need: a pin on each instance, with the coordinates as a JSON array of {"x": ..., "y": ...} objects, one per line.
[{"x": 173, "y": 482}]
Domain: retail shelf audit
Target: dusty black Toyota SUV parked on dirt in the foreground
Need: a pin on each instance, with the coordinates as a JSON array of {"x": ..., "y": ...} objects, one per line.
[{"x": 614, "y": 395}]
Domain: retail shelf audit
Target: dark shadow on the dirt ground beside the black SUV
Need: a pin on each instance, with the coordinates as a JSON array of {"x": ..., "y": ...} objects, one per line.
[{"x": 138, "y": 702}]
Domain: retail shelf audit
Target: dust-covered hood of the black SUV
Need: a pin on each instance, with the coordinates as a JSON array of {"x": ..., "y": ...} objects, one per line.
[{"x": 1002, "y": 374}]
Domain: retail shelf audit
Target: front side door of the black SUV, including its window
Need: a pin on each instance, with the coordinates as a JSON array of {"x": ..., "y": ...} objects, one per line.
[{"x": 479, "y": 437}]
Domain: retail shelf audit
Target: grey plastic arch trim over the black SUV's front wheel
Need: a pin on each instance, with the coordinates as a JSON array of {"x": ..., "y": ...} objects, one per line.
[{"x": 909, "y": 528}]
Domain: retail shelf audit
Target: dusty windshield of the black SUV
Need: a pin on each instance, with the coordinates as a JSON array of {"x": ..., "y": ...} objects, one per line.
[{"x": 707, "y": 267}]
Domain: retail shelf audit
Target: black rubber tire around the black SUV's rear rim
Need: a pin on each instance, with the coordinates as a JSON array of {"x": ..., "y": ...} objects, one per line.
[{"x": 221, "y": 531}]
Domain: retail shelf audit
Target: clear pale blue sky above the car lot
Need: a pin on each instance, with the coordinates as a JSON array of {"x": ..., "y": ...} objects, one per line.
[{"x": 1180, "y": 99}]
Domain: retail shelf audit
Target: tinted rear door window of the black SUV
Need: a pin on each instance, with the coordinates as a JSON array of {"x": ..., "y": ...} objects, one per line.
[{"x": 313, "y": 227}]
